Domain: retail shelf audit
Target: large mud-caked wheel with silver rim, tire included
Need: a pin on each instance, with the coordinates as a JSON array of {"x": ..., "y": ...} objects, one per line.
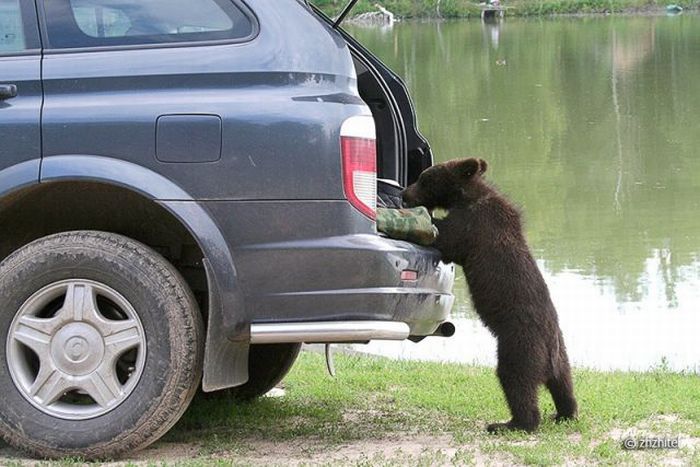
[{"x": 119, "y": 331}]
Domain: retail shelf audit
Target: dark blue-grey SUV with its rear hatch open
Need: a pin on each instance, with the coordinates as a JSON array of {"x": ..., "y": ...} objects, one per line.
[{"x": 188, "y": 192}]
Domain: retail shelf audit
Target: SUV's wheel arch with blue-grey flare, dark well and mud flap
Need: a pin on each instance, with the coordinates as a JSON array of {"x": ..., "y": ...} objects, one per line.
[{"x": 152, "y": 210}]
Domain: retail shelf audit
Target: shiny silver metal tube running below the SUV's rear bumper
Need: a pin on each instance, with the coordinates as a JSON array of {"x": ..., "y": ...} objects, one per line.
[{"x": 325, "y": 332}]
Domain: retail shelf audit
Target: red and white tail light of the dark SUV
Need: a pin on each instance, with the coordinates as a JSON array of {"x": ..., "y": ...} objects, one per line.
[{"x": 359, "y": 148}]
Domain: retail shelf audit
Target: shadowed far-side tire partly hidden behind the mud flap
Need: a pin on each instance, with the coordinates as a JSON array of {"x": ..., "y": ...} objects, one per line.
[{"x": 268, "y": 364}]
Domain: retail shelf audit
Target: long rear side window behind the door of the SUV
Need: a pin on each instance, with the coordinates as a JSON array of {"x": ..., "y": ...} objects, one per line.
[{"x": 104, "y": 23}]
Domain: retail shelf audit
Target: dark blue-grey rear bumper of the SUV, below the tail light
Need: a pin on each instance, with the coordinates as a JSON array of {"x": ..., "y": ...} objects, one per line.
[{"x": 345, "y": 278}]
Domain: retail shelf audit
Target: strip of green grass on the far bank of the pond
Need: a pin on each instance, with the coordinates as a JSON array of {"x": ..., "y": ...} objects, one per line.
[{"x": 467, "y": 8}]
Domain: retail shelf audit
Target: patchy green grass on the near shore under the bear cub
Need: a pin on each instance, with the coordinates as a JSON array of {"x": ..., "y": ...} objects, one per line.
[{"x": 374, "y": 399}]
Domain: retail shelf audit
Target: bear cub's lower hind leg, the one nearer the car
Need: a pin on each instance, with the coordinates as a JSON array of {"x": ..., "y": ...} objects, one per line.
[{"x": 520, "y": 389}]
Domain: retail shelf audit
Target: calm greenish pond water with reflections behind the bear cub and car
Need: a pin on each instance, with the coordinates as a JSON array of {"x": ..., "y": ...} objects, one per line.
[{"x": 592, "y": 125}]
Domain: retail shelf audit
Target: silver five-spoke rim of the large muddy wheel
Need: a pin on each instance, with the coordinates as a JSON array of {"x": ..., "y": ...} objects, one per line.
[{"x": 76, "y": 349}]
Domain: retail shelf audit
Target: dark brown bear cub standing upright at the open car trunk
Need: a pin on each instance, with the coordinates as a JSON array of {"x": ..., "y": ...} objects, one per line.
[{"x": 482, "y": 232}]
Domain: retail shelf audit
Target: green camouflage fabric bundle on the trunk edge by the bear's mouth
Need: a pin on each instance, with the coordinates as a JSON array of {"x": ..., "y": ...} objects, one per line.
[{"x": 414, "y": 225}]
